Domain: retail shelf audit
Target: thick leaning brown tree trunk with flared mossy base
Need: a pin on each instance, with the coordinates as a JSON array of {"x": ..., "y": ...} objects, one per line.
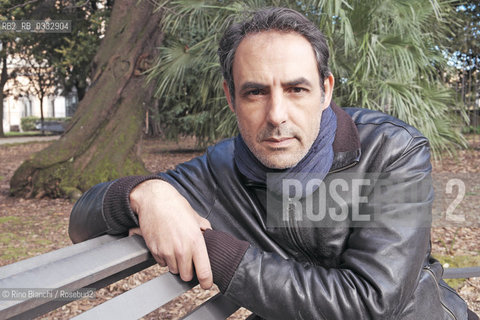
[{"x": 101, "y": 141}]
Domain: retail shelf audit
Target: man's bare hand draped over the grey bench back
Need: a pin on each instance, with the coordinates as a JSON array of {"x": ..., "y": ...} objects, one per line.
[{"x": 172, "y": 230}]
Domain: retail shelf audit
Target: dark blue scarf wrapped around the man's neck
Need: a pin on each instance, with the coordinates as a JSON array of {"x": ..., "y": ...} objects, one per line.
[{"x": 315, "y": 164}]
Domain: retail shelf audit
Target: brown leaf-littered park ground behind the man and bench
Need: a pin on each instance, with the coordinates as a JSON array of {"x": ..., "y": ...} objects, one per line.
[{"x": 29, "y": 227}]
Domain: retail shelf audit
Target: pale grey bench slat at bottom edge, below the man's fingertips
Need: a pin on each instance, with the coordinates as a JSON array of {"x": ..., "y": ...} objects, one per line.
[{"x": 141, "y": 300}]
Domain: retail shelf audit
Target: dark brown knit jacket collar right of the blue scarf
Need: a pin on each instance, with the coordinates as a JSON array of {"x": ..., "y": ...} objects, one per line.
[{"x": 346, "y": 145}]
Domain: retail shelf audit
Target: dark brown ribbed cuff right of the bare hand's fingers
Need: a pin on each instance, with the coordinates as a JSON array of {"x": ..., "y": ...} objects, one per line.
[{"x": 225, "y": 253}]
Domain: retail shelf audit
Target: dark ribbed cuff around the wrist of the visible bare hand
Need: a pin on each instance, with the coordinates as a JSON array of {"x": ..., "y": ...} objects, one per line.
[{"x": 116, "y": 204}]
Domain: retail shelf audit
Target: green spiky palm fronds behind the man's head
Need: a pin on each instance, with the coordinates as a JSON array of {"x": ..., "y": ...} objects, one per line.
[{"x": 385, "y": 55}]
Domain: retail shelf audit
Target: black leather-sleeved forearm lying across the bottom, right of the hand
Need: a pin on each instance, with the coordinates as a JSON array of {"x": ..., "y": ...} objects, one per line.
[{"x": 278, "y": 288}]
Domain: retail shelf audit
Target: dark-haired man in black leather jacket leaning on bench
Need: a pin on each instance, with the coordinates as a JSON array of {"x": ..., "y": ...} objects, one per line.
[{"x": 277, "y": 82}]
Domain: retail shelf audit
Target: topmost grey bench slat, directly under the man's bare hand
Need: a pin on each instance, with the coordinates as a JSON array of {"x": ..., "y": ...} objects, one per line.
[{"x": 80, "y": 270}]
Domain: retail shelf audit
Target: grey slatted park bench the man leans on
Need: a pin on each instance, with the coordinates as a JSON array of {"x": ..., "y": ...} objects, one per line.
[{"x": 99, "y": 262}]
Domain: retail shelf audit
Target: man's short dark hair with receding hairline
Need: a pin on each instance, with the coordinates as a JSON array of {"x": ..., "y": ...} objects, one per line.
[{"x": 280, "y": 19}]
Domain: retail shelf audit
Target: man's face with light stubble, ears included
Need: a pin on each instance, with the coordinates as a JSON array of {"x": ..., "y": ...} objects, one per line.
[{"x": 278, "y": 97}]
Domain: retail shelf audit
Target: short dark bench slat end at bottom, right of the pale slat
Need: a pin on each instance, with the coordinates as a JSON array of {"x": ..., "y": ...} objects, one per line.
[{"x": 217, "y": 307}]
